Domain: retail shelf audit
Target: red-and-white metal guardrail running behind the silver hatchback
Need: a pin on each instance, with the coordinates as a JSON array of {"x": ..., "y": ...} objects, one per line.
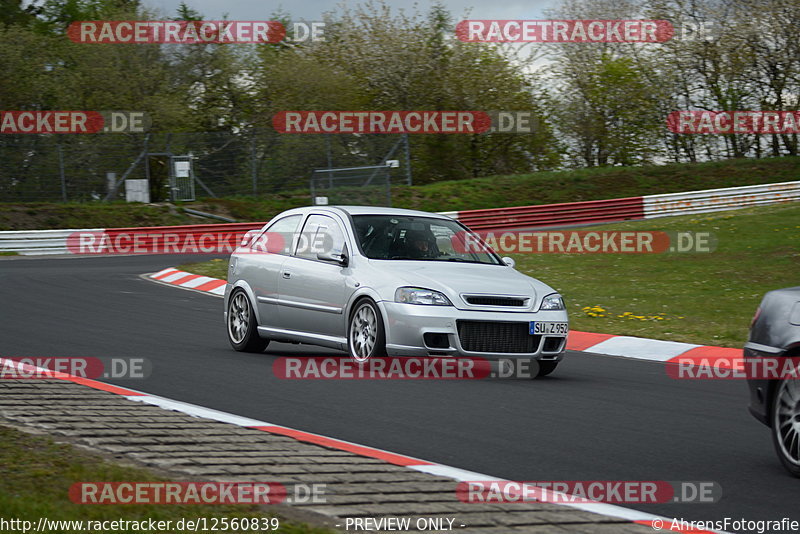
[{"x": 30, "y": 242}]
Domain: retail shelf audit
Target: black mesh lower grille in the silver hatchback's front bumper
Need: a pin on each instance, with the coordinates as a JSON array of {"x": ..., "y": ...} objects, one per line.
[{"x": 490, "y": 336}]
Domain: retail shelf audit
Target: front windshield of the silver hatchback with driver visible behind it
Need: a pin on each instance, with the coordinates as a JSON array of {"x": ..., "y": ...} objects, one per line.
[{"x": 404, "y": 237}]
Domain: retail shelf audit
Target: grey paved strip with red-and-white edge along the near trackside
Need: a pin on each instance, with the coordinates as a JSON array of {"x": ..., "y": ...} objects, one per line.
[{"x": 363, "y": 481}]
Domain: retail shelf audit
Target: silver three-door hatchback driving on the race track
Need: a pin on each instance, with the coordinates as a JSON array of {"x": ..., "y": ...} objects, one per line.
[{"x": 387, "y": 282}]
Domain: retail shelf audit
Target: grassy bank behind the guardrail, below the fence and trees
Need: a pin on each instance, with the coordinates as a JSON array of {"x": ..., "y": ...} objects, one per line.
[{"x": 478, "y": 193}]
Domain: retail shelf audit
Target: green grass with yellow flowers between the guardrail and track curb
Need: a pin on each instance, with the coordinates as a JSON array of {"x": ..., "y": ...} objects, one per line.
[{"x": 705, "y": 298}]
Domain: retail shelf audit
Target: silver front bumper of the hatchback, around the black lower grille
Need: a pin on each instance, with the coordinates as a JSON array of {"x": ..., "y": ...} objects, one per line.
[{"x": 408, "y": 324}]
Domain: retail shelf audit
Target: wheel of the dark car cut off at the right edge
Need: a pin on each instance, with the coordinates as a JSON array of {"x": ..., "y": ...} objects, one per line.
[{"x": 785, "y": 419}]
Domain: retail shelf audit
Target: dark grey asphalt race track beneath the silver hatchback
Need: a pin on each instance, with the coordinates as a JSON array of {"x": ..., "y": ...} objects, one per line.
[{"x": 595, "y": 418}]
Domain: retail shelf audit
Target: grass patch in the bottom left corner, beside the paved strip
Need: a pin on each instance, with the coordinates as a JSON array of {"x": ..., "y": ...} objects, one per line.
[{"x": 36, "y": 474}]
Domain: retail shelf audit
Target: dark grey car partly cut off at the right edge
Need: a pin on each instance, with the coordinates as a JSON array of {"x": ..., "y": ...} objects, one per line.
[{"x": 775, "y": 333}]
